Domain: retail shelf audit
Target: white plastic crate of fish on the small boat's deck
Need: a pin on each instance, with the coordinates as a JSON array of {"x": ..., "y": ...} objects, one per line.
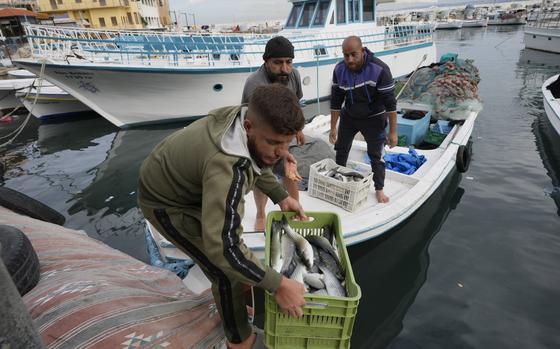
[{"x": 348, "y": 195}]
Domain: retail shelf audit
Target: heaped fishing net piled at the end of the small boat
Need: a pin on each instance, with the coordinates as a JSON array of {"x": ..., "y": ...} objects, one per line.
[{"x": 451, "y": 88}]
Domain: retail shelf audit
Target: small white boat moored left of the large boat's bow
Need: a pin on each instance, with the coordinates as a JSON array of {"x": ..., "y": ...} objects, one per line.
[{"x": 52, "y": 102}]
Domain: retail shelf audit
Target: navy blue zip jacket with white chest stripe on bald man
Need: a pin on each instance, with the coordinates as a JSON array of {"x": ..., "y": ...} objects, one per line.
[{"x": 366, "y": 93}]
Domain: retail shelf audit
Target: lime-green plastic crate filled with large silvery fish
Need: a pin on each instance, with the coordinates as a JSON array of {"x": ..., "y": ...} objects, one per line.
[{"x": 328, "y": 323}]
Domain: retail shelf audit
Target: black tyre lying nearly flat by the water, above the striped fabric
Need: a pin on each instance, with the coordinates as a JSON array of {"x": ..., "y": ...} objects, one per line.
[{"x": 23, "y": 204}]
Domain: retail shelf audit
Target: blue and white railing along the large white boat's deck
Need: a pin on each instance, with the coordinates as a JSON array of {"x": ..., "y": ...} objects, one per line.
[{"x": 176, "y": 49}]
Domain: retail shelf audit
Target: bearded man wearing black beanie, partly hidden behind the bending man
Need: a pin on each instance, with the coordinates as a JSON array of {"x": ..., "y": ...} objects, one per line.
[{"x": 277, "y": 68}]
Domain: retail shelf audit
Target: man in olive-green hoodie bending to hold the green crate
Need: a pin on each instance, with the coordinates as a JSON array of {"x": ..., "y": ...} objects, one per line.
[{"x": 192, "y": 189}]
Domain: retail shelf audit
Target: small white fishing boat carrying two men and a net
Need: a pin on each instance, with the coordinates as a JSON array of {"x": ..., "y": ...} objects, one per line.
[{"x": 407, "y": 192}]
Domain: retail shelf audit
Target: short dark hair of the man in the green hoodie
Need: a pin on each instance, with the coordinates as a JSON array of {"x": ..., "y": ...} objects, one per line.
[{"x": 279, "y": 107}]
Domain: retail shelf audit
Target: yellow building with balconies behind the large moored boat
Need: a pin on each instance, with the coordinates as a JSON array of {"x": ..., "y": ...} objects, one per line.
[{"x": 111, "y": 14}]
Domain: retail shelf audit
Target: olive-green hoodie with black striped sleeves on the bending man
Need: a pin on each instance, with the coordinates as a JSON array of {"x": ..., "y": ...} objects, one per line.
[{"x": 204, "y": 171}]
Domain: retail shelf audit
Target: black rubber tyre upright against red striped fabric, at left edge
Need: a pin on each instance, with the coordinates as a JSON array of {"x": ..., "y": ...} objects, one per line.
[{"x": 20, "y": 258}]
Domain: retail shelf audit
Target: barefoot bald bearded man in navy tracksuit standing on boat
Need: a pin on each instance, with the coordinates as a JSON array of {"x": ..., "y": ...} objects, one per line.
[{"x": 365, "y": 85}]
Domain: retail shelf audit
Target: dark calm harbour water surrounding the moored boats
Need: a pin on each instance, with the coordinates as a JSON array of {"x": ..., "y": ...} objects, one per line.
[{"x": 475, "y": 267}]
